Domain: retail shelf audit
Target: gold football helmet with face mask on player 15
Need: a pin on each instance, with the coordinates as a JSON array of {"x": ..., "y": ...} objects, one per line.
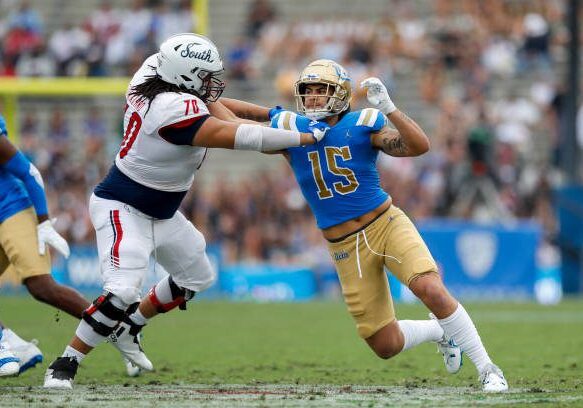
[{"x": 334, "y": 76}]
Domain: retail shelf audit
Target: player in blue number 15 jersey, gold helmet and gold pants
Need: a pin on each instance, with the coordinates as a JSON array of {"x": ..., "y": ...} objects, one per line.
[{"x": 365, "y": 231}]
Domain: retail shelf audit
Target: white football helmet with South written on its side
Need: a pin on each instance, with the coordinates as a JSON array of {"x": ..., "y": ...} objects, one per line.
[{"x": 193, "y": 63}]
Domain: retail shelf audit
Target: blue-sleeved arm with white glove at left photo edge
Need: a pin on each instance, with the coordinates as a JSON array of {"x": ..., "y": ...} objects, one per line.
[{"x": 17, "y": 164}]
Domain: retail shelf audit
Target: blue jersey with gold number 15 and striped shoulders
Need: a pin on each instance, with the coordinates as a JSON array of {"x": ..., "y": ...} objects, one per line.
[{"x": 338, "y": 176}]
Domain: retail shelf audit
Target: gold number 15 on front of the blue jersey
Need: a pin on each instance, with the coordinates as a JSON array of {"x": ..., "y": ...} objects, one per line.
[{"x": 341, "y": 187}]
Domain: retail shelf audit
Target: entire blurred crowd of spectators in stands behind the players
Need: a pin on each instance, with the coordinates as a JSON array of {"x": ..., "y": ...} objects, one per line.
[{"x": 494, "y": 147}]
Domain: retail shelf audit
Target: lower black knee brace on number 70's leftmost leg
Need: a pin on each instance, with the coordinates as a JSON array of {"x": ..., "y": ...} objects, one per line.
[{"x": 104, "y": 314}]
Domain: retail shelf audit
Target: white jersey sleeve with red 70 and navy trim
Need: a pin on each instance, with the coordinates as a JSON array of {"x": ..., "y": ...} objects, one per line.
[{"x": 180, "y": 118}]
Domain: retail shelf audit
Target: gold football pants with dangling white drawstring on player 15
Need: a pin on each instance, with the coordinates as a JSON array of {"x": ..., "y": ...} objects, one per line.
[{"x": 390, "y": 241}]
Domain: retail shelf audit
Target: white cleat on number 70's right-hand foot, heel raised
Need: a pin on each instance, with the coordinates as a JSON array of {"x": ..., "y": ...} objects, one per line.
[{"x": 126, "y": 338}]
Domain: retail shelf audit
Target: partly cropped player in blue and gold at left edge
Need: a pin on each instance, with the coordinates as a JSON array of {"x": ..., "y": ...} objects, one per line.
[{"x": 25, "y": 231}]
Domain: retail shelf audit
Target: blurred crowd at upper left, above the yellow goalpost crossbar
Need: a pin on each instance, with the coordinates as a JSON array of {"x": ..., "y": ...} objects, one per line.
[{"x": 108, "y": 42}]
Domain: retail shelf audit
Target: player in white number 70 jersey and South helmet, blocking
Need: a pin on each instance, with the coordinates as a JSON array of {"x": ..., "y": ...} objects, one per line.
[{"x": 134, "y": 210}]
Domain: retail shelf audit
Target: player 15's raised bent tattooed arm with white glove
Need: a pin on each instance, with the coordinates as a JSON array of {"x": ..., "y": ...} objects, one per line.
[{"x": 408, "y": 139}]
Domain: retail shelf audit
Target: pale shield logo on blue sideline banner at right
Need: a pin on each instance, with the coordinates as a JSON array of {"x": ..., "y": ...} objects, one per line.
[{"x": 477, "y": 251}]
